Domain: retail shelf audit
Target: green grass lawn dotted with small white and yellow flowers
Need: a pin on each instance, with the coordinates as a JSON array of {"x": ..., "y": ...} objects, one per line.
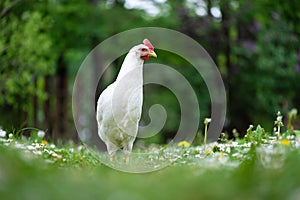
[{"x": 259, "y": 166}]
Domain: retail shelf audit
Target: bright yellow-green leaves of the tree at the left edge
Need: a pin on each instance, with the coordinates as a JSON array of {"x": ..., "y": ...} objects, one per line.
[{"x": 25, "y": 49}]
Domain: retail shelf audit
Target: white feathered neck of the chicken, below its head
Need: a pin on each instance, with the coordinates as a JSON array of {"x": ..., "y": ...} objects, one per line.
[{"x": 132, "y": 68}]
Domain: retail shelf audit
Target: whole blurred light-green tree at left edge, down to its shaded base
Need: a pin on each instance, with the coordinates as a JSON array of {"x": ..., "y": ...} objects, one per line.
[{"x": 25, "y": 59}]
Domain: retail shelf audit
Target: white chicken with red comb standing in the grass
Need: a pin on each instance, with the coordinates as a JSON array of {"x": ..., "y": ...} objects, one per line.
[{"x": 119, "y": 106}]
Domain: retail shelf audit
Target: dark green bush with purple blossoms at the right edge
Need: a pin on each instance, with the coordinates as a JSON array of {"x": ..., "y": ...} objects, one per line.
[{"x": 266, "y": 63}]
